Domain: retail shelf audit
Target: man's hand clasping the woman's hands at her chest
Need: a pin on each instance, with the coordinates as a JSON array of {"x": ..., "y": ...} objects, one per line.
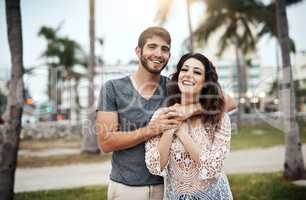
[{"x": 166, "y": 120}]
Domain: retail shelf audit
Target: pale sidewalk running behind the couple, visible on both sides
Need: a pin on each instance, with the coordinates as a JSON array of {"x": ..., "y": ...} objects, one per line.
[{"x": 241, "y": 161}]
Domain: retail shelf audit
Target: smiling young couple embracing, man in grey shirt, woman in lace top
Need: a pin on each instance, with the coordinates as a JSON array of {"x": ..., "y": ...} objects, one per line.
[{"x": 157, "y": 127}]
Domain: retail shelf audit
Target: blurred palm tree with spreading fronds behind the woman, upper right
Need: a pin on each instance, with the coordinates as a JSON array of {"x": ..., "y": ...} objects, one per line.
[{"x": 236, "y": 18}]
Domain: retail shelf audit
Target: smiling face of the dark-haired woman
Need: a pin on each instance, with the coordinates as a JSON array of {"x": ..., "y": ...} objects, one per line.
[{"x": 191, "y": 77}]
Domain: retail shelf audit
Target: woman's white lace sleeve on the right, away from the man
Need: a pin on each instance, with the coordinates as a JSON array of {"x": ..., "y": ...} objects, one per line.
[{"x": 211, "y": 161}]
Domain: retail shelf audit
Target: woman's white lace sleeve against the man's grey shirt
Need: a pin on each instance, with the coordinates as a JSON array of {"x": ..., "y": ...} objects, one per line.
[{"x": 152, "y": 156}]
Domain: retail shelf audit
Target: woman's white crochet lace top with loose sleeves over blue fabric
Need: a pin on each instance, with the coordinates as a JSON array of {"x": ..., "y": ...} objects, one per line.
[{"x": 183, "y": 176}]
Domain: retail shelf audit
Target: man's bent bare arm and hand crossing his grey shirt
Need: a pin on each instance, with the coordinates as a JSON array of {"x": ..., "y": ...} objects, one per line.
[{"x": 110, "y": 139}]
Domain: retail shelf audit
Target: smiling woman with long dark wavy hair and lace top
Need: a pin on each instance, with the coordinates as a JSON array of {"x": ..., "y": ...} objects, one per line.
[{"x": 191, "y": 157}]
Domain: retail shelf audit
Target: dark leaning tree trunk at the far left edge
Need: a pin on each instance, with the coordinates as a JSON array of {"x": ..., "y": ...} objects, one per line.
[{"x": 9, "y": 139}]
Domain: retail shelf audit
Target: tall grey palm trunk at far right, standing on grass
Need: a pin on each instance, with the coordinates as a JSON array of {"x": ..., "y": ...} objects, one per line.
[{"x": 294, "y": 168}]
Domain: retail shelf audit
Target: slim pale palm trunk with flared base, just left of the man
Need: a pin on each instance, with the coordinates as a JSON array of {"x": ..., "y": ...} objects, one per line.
[{"x": 90, "y": 144}]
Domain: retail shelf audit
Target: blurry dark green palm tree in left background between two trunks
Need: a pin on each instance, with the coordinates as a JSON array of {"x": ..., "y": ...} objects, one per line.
[{"x": 62, "y": 54}]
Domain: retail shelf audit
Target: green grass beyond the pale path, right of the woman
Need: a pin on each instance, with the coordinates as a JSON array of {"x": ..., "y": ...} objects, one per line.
[{"x": 261, "y": 136}]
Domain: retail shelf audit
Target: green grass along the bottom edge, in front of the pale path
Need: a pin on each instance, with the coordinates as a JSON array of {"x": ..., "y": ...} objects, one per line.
[{"x": 269, "y": 186}]
